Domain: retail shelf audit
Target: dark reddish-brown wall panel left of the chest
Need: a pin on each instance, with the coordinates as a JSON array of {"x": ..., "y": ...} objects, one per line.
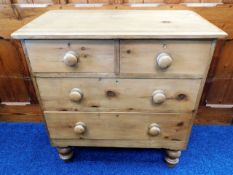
[{"x": 12, "y": 81}]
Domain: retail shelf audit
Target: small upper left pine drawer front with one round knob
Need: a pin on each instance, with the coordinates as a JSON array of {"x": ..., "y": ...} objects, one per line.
[{"x": 83, "y": 56}]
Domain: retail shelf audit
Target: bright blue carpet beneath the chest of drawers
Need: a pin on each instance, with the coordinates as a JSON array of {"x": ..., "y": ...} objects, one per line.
[{"x": 25, "y": 149}]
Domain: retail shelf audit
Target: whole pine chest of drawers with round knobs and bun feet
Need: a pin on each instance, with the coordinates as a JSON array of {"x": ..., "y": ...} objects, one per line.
[{"x": 119, "y": 78}]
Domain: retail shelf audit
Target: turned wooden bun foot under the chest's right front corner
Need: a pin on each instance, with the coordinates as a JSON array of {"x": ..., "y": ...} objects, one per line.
[{"x": 172, "y": 157}]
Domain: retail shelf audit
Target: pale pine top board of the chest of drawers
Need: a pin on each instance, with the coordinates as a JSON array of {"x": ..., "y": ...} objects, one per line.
[{"x": 119, "y": 24}]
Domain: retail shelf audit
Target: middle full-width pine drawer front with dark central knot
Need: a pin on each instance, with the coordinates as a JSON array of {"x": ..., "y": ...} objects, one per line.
[{"x": 107, "y": 95}]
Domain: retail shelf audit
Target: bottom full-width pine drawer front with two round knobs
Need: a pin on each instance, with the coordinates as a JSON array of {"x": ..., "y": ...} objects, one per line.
[{"x": 121, "y": 126}]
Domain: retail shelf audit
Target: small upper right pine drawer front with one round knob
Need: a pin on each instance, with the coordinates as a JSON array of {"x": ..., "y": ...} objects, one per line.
[{"x": 178, "y": 58}]
